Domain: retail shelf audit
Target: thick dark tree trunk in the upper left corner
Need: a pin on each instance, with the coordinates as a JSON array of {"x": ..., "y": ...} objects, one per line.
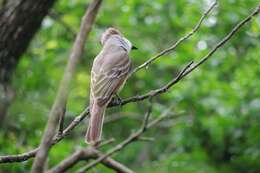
[{"x": 19, "y": 21}]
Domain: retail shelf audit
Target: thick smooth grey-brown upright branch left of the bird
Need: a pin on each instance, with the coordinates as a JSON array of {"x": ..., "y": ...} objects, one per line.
[{"x": 62, "y": 95}]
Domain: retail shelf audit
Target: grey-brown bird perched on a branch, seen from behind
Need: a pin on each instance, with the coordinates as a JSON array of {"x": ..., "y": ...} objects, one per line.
[{"x": 110, "y": 70}]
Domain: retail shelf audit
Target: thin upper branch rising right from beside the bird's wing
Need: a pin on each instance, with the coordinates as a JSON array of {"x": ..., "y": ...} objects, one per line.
[{"x": 182, "y": 39}]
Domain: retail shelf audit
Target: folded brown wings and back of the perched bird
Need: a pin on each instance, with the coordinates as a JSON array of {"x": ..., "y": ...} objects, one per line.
[{"x": 108, "y": 73}]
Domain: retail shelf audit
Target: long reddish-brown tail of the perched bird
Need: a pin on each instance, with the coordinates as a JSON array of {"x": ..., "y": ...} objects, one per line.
[{"x": 94, "y": 131}]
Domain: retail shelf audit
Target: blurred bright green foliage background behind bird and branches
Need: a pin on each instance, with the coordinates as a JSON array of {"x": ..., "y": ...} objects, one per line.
[{"x": 218, "y": 105}]
